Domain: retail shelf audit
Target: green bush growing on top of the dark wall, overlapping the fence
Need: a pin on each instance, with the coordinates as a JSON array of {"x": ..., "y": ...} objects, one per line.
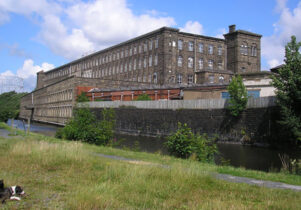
[{"x": 238, "y": 96}]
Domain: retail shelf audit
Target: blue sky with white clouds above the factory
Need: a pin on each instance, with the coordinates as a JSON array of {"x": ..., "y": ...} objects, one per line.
[{"x": 43, "y": 34}]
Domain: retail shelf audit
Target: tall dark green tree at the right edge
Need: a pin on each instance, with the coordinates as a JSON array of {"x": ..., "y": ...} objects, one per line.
[{"x": 288, "y": 90}]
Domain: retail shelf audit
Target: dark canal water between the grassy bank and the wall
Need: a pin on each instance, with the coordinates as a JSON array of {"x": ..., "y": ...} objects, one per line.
[{"x": 264, "y": 159}]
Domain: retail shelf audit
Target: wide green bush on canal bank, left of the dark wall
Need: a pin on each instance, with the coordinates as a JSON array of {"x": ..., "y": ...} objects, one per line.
[{"x": 84, "y": 126}]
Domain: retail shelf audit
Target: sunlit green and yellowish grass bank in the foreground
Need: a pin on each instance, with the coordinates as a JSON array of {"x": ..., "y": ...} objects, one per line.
[{"x": 65, "y": 175}]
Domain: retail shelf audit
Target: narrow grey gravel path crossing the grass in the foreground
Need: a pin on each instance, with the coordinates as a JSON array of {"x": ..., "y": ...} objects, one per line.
[{"x": 225, "y": 177}]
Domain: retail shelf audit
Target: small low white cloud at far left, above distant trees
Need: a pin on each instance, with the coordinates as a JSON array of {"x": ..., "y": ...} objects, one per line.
[{"x": 29, "y": 73}]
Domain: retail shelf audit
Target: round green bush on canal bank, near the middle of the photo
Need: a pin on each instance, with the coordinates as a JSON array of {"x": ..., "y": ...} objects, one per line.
[{"x": 183, "y": 143}]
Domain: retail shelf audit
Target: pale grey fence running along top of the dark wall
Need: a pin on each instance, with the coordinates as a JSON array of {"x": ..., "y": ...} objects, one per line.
[{"x": 180, "y": 104}]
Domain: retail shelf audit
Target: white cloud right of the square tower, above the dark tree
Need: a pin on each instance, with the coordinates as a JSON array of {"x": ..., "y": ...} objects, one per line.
[{"x": 287, "y": 25}]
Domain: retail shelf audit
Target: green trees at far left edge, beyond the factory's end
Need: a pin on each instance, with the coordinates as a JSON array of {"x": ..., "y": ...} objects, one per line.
[{"x": 10, "y": 105}]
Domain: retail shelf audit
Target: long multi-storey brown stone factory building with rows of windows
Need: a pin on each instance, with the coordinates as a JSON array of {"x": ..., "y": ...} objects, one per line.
[{"x": 165, "y": 57}]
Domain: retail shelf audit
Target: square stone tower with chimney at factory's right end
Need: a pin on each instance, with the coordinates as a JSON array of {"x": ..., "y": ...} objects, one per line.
[{"x": 243, "y": 51}]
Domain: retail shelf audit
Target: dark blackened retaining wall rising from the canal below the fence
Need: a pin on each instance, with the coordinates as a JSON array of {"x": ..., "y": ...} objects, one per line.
[{"x": 259, "y": 124}]
